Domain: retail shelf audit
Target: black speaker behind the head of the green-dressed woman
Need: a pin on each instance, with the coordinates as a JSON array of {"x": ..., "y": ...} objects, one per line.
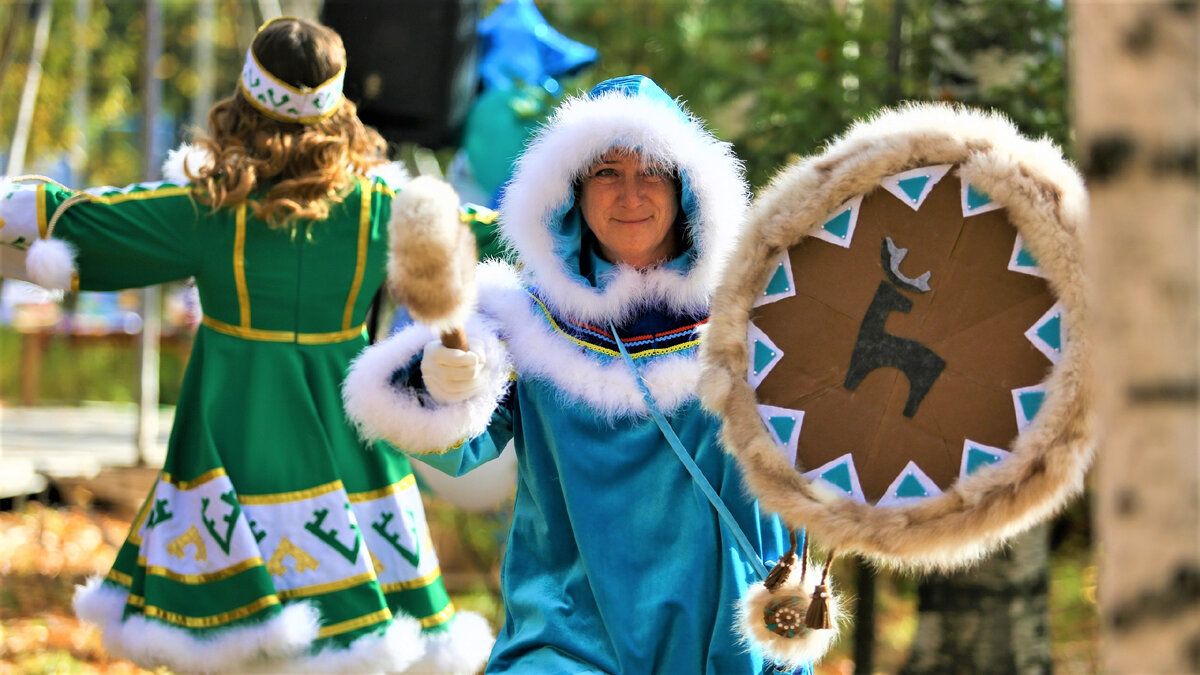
[{"x": 411, "y": 65}]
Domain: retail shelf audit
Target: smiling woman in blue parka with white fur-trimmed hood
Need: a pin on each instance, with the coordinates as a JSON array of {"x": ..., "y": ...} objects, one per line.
[{"x": 619, "y": 213}]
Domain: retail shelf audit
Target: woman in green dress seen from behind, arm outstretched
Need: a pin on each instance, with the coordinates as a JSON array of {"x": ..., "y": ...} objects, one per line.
[{"x": 274, "y": 539}]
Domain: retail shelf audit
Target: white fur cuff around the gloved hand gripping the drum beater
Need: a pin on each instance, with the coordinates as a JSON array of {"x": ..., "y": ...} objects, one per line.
[{"x": 410, "y": 419}]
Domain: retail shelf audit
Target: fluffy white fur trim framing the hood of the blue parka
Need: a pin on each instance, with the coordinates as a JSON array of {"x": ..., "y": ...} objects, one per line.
[{"x": 579, "y": 133}]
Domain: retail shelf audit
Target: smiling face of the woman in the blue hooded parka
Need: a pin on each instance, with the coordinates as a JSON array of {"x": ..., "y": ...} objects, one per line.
[{"x": 631, "y": 206}]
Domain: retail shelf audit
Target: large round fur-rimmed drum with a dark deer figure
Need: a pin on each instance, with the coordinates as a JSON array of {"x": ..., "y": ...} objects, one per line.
[{"x": 899, "y": 348}]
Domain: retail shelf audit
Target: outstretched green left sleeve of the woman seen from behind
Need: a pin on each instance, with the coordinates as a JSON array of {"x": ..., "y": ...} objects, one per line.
[{"x": 130, "y": 237}]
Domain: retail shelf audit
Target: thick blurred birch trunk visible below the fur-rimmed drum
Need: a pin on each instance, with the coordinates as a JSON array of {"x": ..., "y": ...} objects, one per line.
[{"x": 988, "y": 619}]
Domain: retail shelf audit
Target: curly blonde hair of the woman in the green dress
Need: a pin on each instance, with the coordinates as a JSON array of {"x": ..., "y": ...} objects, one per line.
[{"x": 309, "y": 168}]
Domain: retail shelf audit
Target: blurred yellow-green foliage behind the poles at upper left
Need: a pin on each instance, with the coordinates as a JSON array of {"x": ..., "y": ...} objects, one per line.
[{"x": 115, "y": 40}]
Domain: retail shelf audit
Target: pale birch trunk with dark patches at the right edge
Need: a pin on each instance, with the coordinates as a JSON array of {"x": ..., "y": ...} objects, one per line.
[{"x": 1138, "y": 122}]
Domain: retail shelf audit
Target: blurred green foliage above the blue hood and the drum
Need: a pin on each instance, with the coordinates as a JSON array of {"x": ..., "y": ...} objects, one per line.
[{"x": 779, "y": 79}]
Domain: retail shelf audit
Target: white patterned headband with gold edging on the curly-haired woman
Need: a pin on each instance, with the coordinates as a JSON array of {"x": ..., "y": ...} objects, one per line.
[{"x": 285, "y": 103}]
